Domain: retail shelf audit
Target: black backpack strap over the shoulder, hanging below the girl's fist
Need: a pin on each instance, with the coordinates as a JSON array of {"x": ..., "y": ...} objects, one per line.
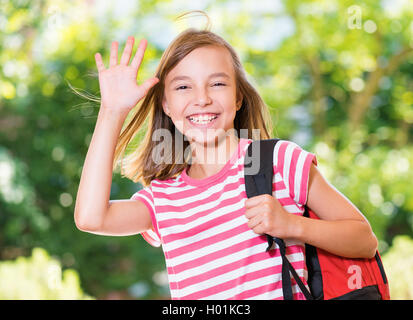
[{"x": 258, "y": 180}]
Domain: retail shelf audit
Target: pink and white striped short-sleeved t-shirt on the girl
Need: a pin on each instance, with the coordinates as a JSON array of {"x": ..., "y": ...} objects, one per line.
[{"x": 210, "y": 252}]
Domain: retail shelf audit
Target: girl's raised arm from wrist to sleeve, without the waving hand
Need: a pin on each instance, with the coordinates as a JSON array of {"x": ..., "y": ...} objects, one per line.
[{"x": 94, "y": 212}]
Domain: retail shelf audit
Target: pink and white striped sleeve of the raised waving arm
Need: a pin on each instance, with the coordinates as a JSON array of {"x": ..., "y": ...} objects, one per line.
[{"x": 146, "y": 196}]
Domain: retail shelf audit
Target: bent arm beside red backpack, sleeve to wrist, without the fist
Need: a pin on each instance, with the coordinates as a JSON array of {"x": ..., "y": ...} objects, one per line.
[{"x": 342, "y": 228}]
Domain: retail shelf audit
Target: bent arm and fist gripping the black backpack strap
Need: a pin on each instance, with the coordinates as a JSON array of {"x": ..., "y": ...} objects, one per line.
[{"x": 341, "y": 230}]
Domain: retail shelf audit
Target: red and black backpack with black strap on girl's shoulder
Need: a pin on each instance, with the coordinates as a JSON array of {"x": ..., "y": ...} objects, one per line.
[{"x": 329, "y": 276}]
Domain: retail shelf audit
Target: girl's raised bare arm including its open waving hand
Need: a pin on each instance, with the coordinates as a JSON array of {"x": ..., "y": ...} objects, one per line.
[{"x": 119, "y": 94}]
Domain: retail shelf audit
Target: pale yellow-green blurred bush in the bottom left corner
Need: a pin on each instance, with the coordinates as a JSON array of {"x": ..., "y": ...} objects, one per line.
[{"x": 39, "y": 277}]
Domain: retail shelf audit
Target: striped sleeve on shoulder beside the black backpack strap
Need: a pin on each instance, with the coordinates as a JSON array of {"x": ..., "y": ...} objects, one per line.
[{"x": 293, "y": 164}]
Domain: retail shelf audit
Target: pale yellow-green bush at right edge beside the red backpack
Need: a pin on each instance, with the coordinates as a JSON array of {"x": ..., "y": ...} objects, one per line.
[{"x": 398, "y": 263}]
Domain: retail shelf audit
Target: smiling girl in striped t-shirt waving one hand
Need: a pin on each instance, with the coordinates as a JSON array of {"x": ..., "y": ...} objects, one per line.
[{"x": 212, "y": 236}]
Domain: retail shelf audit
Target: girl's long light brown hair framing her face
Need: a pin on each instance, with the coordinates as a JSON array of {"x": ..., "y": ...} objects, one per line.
[{"x": 139, "y": 165}]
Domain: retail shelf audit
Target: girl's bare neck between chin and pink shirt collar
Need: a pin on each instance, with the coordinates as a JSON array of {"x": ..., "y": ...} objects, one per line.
[{"x": 209, "y": 160}]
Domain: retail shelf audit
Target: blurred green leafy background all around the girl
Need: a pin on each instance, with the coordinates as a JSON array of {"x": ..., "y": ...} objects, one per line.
[{"x": 337, "y": 75}]
